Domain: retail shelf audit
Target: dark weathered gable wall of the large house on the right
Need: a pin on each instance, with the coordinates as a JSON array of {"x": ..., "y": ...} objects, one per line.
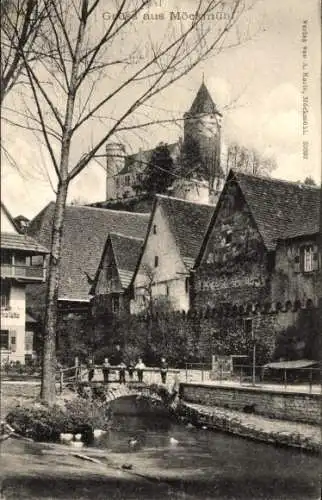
[{"x": 234, "y": 272}]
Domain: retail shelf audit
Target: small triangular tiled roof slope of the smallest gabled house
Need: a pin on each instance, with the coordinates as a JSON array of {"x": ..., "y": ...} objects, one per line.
[{"x": 127, "y": 252}]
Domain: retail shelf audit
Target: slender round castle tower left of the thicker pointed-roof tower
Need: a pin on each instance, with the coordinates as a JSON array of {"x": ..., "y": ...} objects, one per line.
[{"x": 115, "y": 160}]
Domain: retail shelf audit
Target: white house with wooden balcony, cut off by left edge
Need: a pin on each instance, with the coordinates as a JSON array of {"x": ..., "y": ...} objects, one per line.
[{"x": 22, "y": 263}]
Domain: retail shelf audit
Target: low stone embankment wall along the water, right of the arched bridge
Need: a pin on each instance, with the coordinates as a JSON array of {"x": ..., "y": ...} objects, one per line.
[{"x": 297, "y": 407}]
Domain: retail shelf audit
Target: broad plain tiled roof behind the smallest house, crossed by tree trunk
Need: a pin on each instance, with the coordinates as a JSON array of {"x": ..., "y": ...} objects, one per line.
[{"x": 84, "y": 236}]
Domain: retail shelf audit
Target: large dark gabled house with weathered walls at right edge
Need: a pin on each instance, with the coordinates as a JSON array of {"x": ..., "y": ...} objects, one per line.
[{"x": 259, "y": 265}]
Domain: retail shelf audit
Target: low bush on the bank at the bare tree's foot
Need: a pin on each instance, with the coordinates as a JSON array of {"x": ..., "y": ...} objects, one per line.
[{"x": 43, "y": 423}]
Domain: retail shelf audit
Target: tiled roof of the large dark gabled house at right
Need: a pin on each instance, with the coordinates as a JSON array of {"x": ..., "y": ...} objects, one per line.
[{"x": 281, "y": 209}]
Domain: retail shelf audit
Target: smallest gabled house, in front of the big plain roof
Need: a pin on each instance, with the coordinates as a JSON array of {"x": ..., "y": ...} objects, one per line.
[{"x": 115, "y": 272}]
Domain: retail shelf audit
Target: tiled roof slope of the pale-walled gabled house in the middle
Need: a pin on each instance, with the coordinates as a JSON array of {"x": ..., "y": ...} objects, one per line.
[{"x": 188, "y": 222}]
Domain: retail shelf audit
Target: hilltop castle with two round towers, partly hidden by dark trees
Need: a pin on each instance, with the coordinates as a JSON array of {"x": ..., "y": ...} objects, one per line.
[{"x": 196, "y": 157}]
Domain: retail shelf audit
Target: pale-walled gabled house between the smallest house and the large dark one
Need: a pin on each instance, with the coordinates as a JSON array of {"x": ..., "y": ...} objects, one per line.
[{"x": 174, "y": 235}]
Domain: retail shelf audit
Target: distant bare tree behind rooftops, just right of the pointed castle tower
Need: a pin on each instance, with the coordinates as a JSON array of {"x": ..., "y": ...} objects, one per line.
[{"x": 248, "y": 160}]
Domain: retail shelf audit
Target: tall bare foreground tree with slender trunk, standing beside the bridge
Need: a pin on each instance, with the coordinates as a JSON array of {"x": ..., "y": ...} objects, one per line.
[{"x": 106, "y": 66}]
